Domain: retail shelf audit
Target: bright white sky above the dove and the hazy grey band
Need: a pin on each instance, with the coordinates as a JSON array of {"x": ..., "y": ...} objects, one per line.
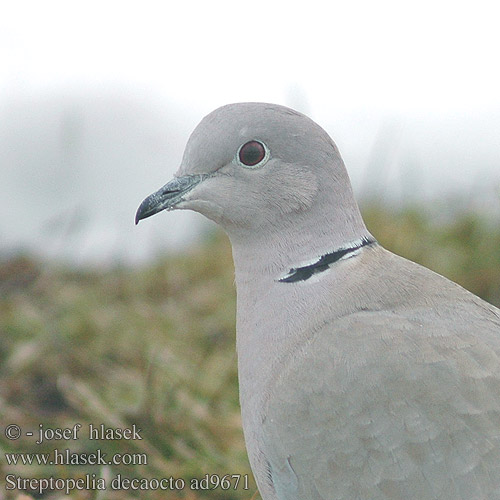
[{"x": 381, "y": 54}]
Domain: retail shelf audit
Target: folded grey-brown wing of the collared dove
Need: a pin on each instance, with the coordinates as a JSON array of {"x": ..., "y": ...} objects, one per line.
[{"x": 390, "y": 405}]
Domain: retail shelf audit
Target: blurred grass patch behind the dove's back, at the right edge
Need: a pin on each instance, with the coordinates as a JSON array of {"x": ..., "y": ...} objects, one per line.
[{"x": 450, "y": 236}]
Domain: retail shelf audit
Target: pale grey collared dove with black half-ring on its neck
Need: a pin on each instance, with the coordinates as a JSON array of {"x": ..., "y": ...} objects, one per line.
[{"x": 363, "y": 376}]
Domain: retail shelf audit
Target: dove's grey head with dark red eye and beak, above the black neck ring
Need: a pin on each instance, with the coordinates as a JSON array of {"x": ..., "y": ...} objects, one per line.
[{"x": 264, "y": 171}]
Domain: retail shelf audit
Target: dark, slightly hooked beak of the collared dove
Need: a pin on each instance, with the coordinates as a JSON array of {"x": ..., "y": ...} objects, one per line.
[{"x": 167, "y": 197}]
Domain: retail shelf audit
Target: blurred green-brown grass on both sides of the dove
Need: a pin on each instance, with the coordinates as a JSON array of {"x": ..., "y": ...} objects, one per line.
[{"x": 154, "y": 346}]
